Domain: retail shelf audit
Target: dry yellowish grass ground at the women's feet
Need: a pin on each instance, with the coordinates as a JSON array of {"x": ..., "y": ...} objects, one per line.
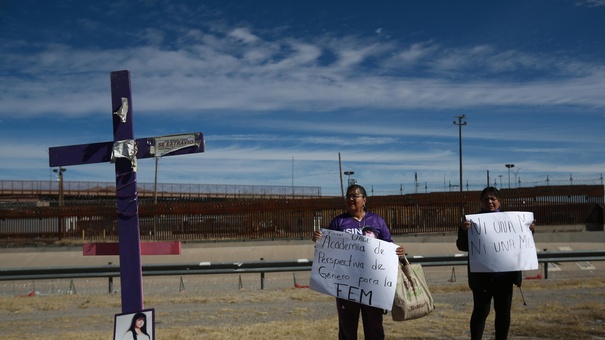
[{"x": 557, "y": 309}]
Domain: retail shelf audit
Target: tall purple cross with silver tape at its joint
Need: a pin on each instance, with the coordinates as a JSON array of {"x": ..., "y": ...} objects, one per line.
[{"x": 124, "y": 152}]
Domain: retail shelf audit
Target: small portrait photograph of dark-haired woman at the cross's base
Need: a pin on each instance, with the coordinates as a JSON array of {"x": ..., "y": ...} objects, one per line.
[{"x": 134, "y": 326}]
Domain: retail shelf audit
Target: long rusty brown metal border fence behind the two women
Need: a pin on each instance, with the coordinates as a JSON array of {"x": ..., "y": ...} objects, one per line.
[{"x": 216, "y": 219}]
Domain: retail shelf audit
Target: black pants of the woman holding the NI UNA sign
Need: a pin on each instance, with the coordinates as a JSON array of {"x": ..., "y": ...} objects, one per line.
[{"x": 502, "y": 293}]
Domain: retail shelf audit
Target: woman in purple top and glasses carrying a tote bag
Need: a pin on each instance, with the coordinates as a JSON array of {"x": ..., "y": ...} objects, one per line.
[{"x": 359, "y": 221}]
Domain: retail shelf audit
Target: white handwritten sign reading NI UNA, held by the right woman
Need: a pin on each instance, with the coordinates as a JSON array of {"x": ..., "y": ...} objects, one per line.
[{"x": 501, "y": 242}]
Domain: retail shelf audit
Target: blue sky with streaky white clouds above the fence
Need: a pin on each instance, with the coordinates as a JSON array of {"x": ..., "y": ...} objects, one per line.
[{"x": 281, "y": 88}]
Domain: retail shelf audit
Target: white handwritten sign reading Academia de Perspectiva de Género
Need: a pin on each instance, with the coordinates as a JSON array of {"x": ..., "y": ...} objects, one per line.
[{"x": 355, "y": 268}]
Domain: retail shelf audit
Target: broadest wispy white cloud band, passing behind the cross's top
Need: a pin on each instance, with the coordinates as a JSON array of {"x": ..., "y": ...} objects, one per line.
[{"x": 207, "y": 74}]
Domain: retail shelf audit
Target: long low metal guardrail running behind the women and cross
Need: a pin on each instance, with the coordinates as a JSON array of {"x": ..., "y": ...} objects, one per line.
[{"x": 262, "y": 267}]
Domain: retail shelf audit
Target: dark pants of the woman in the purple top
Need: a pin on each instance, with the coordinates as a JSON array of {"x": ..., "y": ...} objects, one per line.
[{"x": 348, "y": 320}]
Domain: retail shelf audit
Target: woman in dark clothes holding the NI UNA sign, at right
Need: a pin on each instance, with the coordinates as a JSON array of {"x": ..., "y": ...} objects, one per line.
[{"x": 487, "y": 286}]
